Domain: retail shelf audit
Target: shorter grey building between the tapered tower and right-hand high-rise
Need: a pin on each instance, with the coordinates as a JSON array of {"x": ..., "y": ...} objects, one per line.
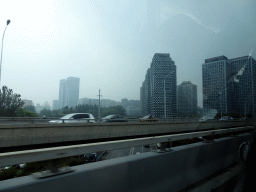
[{"x": 187, "y": 98}]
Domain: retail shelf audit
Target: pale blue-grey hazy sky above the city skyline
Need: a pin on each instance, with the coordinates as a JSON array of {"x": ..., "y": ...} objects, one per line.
[{"x": 109, "y": 44}]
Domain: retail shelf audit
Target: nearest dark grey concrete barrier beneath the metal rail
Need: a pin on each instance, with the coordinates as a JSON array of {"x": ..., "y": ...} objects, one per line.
[{"x": 171, "y": 171}]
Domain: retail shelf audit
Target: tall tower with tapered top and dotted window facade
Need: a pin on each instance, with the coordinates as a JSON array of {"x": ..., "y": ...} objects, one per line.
[{"x": 160, "y": 80}]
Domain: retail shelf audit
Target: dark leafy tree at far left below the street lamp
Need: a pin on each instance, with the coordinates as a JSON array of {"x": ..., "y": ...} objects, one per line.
[{"x": 9, "y": 102}]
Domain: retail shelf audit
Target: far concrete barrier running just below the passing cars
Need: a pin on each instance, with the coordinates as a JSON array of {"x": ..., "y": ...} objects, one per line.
[{"x": 30, "y": 134}]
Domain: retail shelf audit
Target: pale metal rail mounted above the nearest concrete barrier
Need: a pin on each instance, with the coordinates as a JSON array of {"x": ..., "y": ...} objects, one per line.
[{"x": 13, "y": 158}]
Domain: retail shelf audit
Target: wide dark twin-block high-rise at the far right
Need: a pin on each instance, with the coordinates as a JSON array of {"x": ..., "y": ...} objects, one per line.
[{"x": 229, "y": 84}]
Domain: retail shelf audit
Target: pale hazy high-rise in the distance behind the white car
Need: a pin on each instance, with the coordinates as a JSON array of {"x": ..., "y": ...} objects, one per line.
[{"x": 69, "y": 92}]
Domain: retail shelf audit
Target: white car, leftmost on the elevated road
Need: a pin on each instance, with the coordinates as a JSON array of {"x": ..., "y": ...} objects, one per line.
[{"x": 75, "y": 118}]
